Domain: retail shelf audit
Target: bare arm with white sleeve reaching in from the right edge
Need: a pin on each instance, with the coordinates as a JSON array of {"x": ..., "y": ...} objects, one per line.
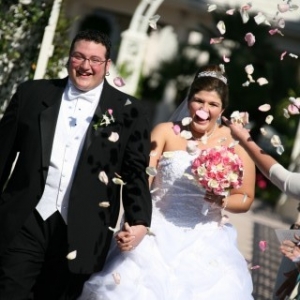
[{"x": 285, "y": 180}]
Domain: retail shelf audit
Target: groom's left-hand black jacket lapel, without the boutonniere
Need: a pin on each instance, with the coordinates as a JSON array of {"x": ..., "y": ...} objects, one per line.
[{"x": 48, "y": 119}]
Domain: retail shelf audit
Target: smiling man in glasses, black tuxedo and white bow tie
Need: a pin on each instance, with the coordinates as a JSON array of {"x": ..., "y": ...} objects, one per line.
[{"x": 73, "y": 137}]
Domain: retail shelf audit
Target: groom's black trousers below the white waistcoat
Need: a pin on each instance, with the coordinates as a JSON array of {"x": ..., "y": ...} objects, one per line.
[{"x": 35, "y": 265}]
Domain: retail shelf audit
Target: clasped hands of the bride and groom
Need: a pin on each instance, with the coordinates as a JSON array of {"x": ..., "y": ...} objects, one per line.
[{"x": 130, "y": 236}]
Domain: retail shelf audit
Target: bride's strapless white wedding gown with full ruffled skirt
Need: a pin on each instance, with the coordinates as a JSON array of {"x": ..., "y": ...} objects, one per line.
[{"x": 191, "y": 256}]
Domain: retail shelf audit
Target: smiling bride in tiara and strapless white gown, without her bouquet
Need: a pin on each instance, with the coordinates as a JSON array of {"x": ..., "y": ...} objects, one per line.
[{"x": 190, "y": 251}]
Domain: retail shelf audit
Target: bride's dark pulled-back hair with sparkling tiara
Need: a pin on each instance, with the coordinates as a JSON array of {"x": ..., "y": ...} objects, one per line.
[{"x": 210, "y": 78}]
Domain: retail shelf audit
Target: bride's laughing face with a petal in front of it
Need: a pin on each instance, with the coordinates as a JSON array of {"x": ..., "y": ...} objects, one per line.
[{"x": 205, "y": 108}]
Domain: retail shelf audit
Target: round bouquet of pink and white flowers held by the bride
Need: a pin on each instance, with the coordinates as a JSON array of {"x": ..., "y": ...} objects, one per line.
[{"x": 218, "y": 170}]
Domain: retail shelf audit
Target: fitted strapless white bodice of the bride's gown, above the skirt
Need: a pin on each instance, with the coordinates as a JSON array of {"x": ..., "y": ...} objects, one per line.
[{"x": 177, "y": 196}]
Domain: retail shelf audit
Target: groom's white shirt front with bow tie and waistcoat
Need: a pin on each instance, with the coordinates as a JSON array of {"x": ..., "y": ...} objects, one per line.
[{"x": 76, "y": 112}]
